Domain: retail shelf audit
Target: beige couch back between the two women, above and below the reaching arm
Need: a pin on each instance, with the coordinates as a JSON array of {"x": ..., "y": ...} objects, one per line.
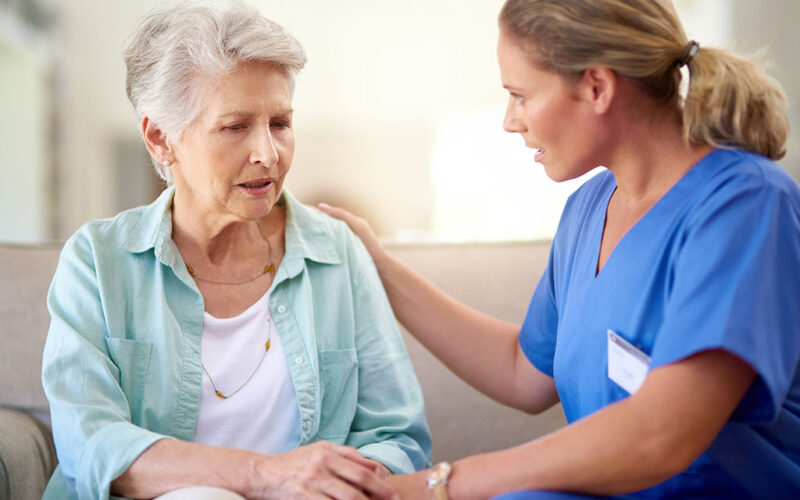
[{"x": 497, "y": 279}]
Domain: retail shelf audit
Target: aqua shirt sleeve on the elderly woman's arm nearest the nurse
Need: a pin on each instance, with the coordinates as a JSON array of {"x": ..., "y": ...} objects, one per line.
[{"x": 389, "y": 424}]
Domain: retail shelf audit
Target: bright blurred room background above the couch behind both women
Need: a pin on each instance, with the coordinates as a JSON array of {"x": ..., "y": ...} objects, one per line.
[{"x": 398, "y": 114}]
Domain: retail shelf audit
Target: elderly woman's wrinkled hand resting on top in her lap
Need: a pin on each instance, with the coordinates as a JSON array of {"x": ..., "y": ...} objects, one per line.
[{"x": 321, "y": 471}]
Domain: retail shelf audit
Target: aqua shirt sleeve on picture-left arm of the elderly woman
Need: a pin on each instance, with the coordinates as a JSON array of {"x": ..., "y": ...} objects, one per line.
[{"x": 91, "y": 417}]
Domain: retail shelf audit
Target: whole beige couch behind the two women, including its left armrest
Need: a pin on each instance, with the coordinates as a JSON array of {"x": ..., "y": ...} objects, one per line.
[{"x": 495, "y": 278}]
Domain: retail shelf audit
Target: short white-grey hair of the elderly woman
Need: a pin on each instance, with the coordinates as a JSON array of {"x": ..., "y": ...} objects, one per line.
[{"x": 175, "y": 47}]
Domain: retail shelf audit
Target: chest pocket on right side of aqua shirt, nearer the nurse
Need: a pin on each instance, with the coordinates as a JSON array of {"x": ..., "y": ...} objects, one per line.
[{"x": 339, "y": 384}]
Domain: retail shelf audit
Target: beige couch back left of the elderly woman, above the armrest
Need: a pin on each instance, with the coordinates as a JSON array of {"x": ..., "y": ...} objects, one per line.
[{"x": 25, "y": 274}]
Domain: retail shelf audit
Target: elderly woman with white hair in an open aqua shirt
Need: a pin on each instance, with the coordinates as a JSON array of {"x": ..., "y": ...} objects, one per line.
[{"x": 224, "y": 335}]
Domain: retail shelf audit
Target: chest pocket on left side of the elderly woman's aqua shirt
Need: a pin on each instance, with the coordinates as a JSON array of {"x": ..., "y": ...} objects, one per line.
[{"x": 132, "y": 357}]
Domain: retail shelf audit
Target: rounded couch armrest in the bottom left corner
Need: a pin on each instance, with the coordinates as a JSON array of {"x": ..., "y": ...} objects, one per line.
[{"x": 27, "y": 456}]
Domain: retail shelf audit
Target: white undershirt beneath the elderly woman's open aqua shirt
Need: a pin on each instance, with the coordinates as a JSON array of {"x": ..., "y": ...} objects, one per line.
[{"x": 263, "y": 416}]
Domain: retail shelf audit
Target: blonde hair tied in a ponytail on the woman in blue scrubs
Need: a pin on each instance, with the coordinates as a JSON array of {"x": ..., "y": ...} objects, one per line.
[{"x": 730, "y": 103}]
